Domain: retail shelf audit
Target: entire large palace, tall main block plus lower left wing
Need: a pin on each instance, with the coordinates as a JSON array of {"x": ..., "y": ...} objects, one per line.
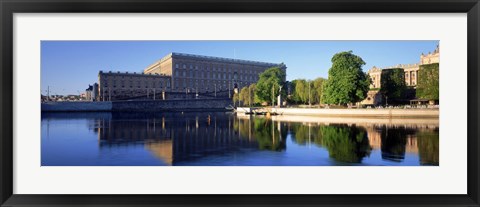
[{"x": 179, "y": 73}]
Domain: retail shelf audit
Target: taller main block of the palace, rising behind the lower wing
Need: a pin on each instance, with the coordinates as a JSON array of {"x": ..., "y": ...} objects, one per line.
[{"x": 205, "y": 74}]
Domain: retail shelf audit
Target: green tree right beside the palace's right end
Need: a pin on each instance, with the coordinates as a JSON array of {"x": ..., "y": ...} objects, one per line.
[{"x": 271, "y": 79}]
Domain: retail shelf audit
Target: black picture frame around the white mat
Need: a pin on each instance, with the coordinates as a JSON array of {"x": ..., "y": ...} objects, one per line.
[{"x": 9, "y": 7}]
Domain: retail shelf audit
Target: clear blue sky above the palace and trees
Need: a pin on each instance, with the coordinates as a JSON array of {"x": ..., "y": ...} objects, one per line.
[{"x": 69, "y": 66}]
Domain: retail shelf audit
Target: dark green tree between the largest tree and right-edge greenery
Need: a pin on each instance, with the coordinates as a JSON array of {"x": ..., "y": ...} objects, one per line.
[{"x": 393, "y": 83}]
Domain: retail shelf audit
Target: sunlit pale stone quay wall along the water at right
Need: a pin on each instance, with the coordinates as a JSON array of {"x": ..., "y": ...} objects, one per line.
[{"x": 347, "y": 112}]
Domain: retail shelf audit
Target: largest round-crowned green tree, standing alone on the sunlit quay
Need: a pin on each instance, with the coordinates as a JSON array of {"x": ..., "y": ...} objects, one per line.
[{"x": 346, "y": 82}]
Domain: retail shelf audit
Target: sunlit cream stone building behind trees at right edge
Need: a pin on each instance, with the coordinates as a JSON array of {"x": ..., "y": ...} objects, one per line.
[{"x": 411, "y": 76}]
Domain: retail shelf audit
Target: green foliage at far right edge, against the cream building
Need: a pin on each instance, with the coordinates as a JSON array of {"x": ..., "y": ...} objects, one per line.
[{"x": 428, "y": 77}]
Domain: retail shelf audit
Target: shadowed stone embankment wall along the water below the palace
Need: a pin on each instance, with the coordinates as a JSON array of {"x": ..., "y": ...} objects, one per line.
[{"x": 158, "y": 105}]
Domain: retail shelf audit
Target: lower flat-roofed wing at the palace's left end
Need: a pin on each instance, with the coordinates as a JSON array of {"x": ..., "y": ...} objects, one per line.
[{"x": 118, "y": 85}]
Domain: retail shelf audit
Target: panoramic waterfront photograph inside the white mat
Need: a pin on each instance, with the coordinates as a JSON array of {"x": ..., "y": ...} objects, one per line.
[{"x": 240, "y": 103}]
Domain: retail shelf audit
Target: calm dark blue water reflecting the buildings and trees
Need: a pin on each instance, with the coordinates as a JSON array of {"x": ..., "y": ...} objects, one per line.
[{"x": 193, "y": 139}]
